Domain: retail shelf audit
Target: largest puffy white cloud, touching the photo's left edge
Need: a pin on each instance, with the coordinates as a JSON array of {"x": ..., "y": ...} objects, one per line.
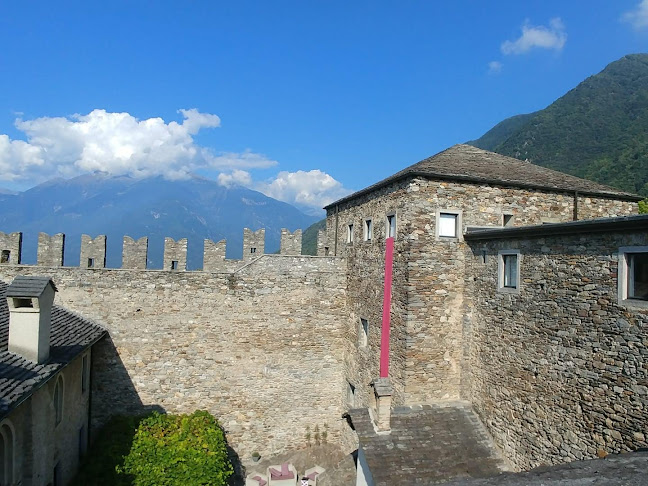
[{"x": 115, "y": 143}]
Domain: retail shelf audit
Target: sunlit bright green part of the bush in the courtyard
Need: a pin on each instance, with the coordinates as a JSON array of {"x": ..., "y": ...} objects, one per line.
[{"x": 179, "y": 450}]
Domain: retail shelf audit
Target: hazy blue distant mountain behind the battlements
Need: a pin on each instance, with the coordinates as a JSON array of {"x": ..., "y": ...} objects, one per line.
[{"x": 195, "y": 208}]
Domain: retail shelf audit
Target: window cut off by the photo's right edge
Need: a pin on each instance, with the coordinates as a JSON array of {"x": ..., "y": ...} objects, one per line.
[{"x": 633, "y": 276}]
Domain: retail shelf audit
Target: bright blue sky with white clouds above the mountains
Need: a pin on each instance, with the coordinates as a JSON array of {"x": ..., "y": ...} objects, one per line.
[{"x": 303, "y": 100}]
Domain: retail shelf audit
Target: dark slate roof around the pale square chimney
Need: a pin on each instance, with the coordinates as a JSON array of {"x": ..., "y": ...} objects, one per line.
[{"x": 19, "y": 378}]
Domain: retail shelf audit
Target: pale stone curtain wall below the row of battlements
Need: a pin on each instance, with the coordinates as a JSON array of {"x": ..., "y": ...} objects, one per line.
[{"x": 261, "y": 348}]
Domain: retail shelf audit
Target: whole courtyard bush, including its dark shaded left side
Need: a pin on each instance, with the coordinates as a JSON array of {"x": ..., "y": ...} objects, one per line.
[{"x": 165, "y": 450}]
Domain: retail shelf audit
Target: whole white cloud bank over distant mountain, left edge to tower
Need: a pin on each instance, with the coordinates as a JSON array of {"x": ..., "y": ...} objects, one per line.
[{"x": 120, "y": 144}]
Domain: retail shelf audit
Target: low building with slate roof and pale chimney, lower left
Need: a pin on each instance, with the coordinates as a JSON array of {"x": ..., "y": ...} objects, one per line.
[{"x": 45, "y": 354}]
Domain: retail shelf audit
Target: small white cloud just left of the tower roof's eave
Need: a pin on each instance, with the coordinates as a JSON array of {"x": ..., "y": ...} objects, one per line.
[{"x": 312, "y": 189}]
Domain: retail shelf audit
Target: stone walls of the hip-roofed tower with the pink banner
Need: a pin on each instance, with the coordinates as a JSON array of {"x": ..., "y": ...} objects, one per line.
[{"x": 428, "y": 351}]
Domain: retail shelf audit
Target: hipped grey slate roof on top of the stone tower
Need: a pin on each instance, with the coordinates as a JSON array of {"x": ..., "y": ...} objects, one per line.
[{"x": 470, "y": 164}]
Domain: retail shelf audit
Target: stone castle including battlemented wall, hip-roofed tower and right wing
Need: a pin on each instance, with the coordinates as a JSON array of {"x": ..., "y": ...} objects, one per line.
[{"x": 469, "y": 278}]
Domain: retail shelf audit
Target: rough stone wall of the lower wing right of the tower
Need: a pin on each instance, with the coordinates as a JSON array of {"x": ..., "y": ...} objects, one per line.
[{"x": 559, "y": 369}]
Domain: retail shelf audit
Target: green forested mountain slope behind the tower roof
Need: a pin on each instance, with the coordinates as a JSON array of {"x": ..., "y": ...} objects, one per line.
[{"x": 598, "y": 130}]
